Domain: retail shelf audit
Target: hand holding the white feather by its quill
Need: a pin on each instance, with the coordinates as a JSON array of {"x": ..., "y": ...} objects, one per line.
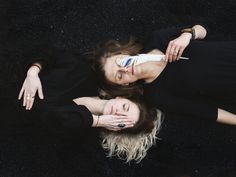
[{"x": 176, "y": 47}]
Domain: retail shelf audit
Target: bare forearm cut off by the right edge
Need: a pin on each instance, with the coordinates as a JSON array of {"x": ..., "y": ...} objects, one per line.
[{"x": 226, "y": 117}]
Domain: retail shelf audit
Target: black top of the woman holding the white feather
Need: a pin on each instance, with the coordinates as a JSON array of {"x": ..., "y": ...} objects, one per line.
[{"x": 196, "y": 87}]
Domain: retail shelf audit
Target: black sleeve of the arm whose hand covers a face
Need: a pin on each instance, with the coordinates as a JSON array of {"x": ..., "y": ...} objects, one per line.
[{"x": 66, "y": 118}]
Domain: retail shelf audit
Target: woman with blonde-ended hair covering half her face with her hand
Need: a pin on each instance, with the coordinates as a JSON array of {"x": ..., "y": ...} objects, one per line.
[{"x": 69, "y": 107}]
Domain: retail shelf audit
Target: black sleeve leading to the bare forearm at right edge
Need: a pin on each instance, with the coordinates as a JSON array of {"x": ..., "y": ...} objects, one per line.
[{"x": 189, "y": 108}]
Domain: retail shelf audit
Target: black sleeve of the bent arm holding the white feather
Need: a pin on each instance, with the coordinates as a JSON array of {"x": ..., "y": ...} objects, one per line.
[{"x": 160, "y": 39}]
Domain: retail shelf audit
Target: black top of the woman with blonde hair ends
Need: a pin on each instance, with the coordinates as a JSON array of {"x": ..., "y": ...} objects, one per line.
[{"x": 70, "y": 77}]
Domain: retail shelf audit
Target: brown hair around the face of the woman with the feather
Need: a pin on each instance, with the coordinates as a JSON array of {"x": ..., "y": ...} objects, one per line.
[{"x": 106, "y": 50}]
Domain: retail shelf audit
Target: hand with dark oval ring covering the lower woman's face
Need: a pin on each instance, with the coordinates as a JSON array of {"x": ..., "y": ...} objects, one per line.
[{"x": 115, "y": 122}]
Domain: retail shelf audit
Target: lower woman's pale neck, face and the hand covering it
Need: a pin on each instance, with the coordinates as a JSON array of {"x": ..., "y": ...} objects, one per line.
[{"x": 111, "y": 112}]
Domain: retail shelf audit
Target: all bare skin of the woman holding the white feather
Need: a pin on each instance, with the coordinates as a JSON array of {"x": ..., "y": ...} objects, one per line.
[{"x": 149, "y": 71}]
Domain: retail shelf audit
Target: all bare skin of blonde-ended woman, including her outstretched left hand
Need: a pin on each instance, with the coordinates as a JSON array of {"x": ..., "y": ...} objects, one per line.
[{"x": 123, "y": 110}]
